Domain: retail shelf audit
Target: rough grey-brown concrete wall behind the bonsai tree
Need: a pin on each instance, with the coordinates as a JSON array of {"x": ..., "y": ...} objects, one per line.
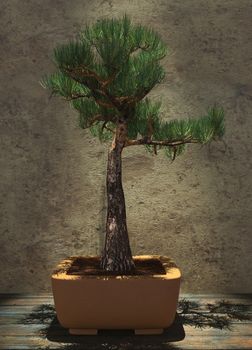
[{"x": 197, "y": 209}]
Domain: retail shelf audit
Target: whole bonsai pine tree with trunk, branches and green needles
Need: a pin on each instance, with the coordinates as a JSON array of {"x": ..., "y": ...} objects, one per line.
[{"x": 106, "y": 74}]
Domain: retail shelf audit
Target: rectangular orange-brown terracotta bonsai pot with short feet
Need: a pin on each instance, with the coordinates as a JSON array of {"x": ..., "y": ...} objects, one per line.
[{"x": 146, "y": 303}]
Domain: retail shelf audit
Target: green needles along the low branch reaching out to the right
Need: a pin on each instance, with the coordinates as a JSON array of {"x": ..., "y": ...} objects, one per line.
[{"x": 201, "y": 130}]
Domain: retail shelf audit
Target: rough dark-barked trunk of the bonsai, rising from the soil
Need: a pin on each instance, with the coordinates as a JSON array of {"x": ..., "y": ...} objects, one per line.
[{"x": 116, "y": 256}]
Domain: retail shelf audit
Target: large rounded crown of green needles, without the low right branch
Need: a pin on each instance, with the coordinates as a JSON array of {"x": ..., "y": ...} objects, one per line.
[{"x": 109, "y": 47}]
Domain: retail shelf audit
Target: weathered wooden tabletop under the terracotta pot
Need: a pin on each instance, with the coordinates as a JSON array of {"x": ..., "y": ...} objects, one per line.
[{"x": 203, "y": 322}]
